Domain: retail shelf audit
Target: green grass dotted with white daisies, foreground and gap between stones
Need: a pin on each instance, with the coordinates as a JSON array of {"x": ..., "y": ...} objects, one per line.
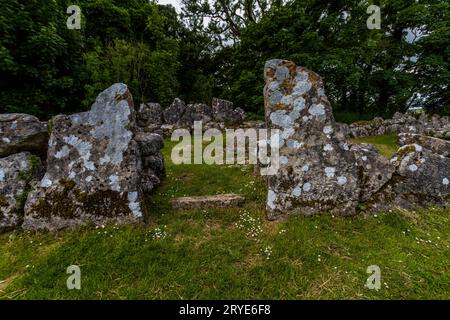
[{"x": 233, "y": 253}]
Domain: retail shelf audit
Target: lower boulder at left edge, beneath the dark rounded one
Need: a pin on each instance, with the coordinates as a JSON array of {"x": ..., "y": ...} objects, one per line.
[{"x": 18, "y": 174}]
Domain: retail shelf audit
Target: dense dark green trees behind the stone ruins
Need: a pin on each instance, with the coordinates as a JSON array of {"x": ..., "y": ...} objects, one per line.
[{"x": 218, "y": 48}]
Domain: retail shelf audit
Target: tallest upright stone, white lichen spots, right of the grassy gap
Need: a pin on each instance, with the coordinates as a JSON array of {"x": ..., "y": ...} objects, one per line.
[{"x": 317, "y": 171}]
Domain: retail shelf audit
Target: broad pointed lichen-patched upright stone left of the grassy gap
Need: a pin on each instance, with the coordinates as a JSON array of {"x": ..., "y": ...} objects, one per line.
[{"x": 96, "y": 168}]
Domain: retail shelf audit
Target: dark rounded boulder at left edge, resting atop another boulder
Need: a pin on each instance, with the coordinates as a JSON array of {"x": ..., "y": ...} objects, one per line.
[{"x": 22, "y": 132}]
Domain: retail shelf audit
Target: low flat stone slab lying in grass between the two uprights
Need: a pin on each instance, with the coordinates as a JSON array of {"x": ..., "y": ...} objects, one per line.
[{"x": 206, "y": 202}]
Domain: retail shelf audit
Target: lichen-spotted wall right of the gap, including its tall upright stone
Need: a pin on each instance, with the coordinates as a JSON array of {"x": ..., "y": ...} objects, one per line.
[{"x": 323, "y": 172}]
